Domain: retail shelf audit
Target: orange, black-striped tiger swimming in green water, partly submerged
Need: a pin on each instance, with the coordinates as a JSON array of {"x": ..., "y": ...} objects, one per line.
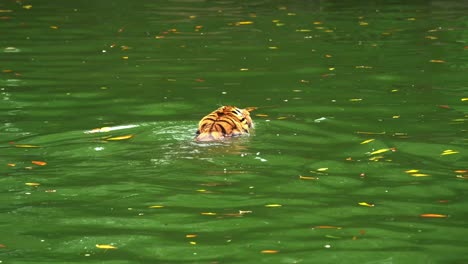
[{"x": 225, "y": 122}]
